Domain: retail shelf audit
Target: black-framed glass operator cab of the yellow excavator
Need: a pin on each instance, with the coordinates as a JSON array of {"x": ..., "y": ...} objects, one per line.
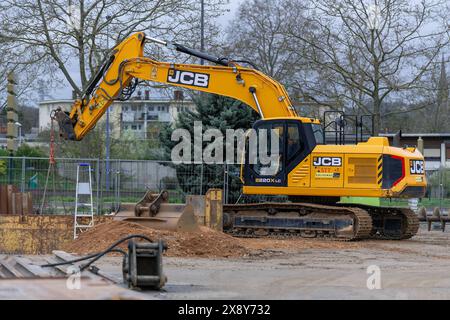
[{"x": 275, "y": 147}]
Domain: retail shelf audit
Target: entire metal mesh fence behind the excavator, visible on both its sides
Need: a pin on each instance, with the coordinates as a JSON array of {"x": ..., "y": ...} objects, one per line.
[{"x": 126, "y": 181}]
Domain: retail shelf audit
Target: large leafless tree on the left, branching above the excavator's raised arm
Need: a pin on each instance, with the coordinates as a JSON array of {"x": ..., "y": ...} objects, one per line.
[{"x": 73, "y": 36}]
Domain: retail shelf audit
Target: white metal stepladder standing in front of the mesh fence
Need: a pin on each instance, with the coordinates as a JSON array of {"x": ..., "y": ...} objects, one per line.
[{"x": 84, "y": 219}]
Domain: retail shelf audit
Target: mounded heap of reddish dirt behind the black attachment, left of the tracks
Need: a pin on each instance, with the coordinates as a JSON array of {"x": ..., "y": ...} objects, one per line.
[{"x": 205, "y": 243}]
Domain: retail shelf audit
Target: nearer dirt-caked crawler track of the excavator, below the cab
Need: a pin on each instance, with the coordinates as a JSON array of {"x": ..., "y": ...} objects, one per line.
[{"x": 297, "y": 220}]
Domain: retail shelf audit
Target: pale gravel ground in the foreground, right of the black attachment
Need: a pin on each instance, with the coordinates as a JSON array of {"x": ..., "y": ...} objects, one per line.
[{"x": 418, "y": 268}]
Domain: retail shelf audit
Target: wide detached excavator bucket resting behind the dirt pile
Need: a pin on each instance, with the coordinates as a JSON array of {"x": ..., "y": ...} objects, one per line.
[{"x": 154, "y": 211}]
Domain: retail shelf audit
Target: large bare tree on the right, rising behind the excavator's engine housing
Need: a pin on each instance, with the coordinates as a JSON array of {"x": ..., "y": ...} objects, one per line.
[{"x": 368, "y": 51}]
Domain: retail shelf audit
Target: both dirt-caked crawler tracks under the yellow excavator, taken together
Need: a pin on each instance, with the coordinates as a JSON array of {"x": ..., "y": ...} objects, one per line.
[{"x": 343, "y": 222}]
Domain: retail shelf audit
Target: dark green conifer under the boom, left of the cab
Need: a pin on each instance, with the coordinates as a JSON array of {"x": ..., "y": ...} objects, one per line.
[{"x": 214, "y": 112}]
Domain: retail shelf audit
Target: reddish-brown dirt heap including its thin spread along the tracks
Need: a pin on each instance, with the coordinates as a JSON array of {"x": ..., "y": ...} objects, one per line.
[{"x": 206, "y": 243}]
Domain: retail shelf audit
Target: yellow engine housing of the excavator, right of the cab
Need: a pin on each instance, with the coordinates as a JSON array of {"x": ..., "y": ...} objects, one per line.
[{"x": 359, "y": 176}]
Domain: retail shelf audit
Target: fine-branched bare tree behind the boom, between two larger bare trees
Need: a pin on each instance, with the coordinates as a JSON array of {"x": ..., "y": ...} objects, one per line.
[{"x": 259, "y": 34}]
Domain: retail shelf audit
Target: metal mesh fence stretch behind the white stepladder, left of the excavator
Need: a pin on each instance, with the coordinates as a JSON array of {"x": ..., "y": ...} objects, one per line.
[{"x": 126, "y": 181}]
